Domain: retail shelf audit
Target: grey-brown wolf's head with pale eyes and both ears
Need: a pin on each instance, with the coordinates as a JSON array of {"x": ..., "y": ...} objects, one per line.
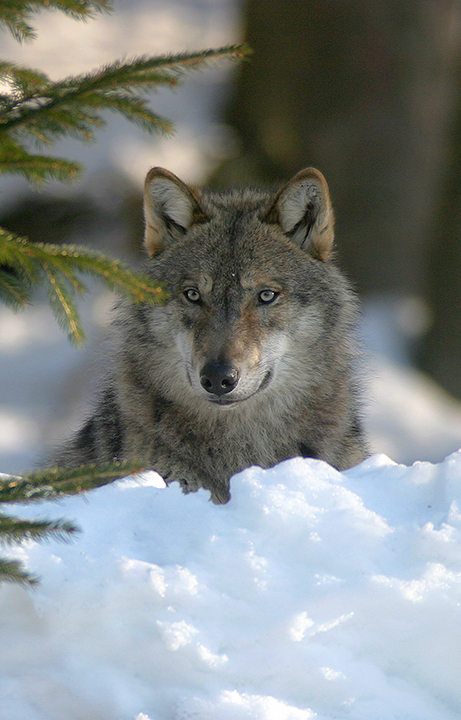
[{"x": 253, "y": 298}]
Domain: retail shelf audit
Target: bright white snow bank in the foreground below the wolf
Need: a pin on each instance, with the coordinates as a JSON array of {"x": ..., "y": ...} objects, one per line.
[{"x": 312, "y": 594}]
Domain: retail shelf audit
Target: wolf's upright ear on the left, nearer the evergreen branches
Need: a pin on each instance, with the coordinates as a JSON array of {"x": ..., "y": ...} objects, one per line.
[{"x": 170, "y": 208}]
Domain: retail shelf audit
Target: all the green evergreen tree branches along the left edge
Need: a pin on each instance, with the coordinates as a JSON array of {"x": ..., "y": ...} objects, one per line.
[{"x": 36, "y": 110}]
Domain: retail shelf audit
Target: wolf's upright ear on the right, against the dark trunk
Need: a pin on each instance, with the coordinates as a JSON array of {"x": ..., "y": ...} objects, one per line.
[{"x": 303, "y": 210}]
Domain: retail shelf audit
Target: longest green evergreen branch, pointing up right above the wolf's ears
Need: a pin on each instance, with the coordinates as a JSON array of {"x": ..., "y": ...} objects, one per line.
[{"x": 58, "y": 108}]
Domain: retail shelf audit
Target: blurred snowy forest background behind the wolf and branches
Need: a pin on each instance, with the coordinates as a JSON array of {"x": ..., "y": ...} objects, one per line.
[{"x": 368, "y": 92}]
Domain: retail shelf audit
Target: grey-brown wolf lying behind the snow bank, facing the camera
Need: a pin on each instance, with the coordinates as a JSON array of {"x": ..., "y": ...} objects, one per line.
[{"x": 252, "y": 360}]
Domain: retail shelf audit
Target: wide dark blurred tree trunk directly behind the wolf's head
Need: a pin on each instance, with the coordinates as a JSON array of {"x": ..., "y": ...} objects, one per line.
[{"x": 362, "y": 90}]
